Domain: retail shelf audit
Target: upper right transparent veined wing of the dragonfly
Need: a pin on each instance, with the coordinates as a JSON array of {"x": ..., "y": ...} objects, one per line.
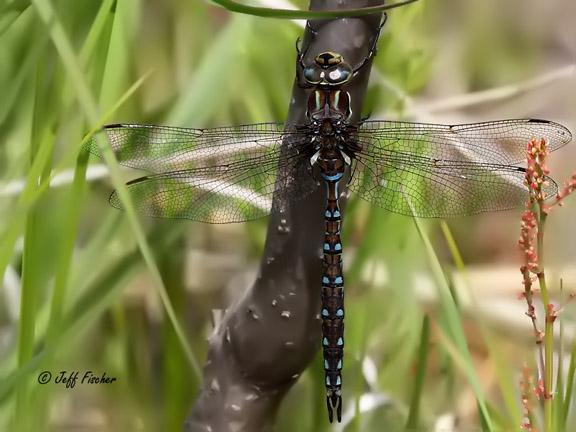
[{"x": 499, "y": 142}]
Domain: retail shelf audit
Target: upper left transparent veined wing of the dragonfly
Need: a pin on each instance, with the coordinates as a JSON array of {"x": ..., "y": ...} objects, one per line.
[{"x": 159, "y": 149}]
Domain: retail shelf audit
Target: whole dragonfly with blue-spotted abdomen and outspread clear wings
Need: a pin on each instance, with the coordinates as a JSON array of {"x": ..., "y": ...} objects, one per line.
[{"x": 241, "y": 173}]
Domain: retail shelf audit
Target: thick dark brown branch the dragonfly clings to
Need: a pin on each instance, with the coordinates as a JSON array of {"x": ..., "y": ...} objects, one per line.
[{"x": 268, "y": 338}]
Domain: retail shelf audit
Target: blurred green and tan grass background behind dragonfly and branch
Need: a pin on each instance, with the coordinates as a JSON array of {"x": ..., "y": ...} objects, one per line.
[{"x": 77, "y": 294}]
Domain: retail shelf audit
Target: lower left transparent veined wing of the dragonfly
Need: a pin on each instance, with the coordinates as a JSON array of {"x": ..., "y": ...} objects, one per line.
[{"x": 236, "y": 192}]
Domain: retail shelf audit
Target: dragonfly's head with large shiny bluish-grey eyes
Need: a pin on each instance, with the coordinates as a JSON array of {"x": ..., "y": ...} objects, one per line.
[{"x": 329, "y": 69}]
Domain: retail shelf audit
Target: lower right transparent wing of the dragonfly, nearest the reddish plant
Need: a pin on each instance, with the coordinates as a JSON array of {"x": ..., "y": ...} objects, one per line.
[{"x": 427, "y": 188}]
